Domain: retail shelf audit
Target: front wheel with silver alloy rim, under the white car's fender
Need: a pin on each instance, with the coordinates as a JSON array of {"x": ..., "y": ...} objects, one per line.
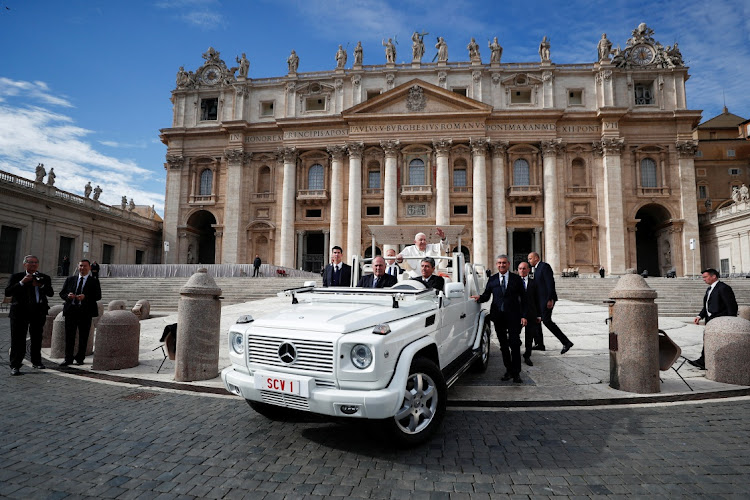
[{"x": 423, "y": 406}]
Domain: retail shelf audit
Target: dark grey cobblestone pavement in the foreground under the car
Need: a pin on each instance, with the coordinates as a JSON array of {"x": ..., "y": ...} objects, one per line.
[{"x": 67, "y": 437}]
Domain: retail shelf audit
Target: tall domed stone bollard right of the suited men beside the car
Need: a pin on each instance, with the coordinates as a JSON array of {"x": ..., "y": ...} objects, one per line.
[{"x": 634, "y": 337}]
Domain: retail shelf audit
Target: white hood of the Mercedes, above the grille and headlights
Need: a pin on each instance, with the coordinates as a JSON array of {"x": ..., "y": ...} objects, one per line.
[{"x": 340, "y": 317}]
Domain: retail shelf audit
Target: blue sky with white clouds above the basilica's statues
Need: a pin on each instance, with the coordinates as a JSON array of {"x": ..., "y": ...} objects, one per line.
[{"x": 85, "y": 84}]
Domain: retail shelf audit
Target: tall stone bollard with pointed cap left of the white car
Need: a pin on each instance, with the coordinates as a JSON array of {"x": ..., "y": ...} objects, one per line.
[{"x": 198, "y": 322}]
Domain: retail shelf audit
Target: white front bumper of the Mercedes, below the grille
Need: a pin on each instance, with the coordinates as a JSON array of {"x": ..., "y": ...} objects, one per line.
[{"x": 371, "y": 404}]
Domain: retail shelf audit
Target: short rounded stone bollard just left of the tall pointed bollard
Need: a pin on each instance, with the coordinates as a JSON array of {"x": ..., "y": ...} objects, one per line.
[{"x": 117, "y": 341}]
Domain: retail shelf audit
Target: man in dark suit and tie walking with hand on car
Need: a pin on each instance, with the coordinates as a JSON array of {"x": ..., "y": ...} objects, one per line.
[{"x": 508, "y": 313}]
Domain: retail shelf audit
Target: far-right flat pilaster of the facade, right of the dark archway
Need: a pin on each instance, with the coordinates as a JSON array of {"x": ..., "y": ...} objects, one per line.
[{"x": 686, "y": 164}]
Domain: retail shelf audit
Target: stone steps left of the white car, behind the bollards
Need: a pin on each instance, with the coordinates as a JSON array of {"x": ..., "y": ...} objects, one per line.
[{"x": 164, "y": 293}]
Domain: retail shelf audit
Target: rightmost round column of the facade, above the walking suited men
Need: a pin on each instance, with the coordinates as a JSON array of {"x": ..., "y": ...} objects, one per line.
[{"x": 551, "y": 205}]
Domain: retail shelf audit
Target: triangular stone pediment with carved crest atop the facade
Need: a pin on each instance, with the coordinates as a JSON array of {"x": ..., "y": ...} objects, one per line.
[{"x": 417, "y": 97}]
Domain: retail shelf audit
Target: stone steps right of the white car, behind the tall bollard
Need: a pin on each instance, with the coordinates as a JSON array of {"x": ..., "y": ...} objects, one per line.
[{"x": 676, "y": 297}]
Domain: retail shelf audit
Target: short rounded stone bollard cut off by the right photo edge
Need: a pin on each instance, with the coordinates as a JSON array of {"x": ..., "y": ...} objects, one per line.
[{"x": 726, "y": 342}]
